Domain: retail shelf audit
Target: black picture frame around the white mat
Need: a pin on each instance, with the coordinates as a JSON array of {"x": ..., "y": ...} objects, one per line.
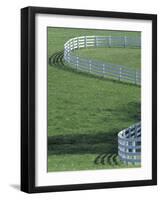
[{"x": 28, "y": 98}]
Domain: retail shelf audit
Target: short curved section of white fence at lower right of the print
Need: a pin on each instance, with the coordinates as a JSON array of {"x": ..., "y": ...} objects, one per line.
[{"x": 129, "y": 144}]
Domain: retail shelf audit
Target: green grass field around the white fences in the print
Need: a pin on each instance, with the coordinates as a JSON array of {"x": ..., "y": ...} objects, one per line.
[{"x": 85, "y": 112}]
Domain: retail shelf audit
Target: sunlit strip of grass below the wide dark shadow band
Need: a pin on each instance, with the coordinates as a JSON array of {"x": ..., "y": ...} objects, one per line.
[{"x": 84, "y": 161}]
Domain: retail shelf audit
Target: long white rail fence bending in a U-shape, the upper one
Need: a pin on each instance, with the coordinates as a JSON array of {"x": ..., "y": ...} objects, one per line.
[{"x": 109, "y": 70}]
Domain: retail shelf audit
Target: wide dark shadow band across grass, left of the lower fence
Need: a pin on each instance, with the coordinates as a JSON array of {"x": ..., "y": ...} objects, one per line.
[{"x": 96, "y": 143}]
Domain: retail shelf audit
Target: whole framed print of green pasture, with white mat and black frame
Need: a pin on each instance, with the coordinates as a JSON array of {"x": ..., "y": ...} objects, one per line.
[{"x": 88, "y": 99}]
